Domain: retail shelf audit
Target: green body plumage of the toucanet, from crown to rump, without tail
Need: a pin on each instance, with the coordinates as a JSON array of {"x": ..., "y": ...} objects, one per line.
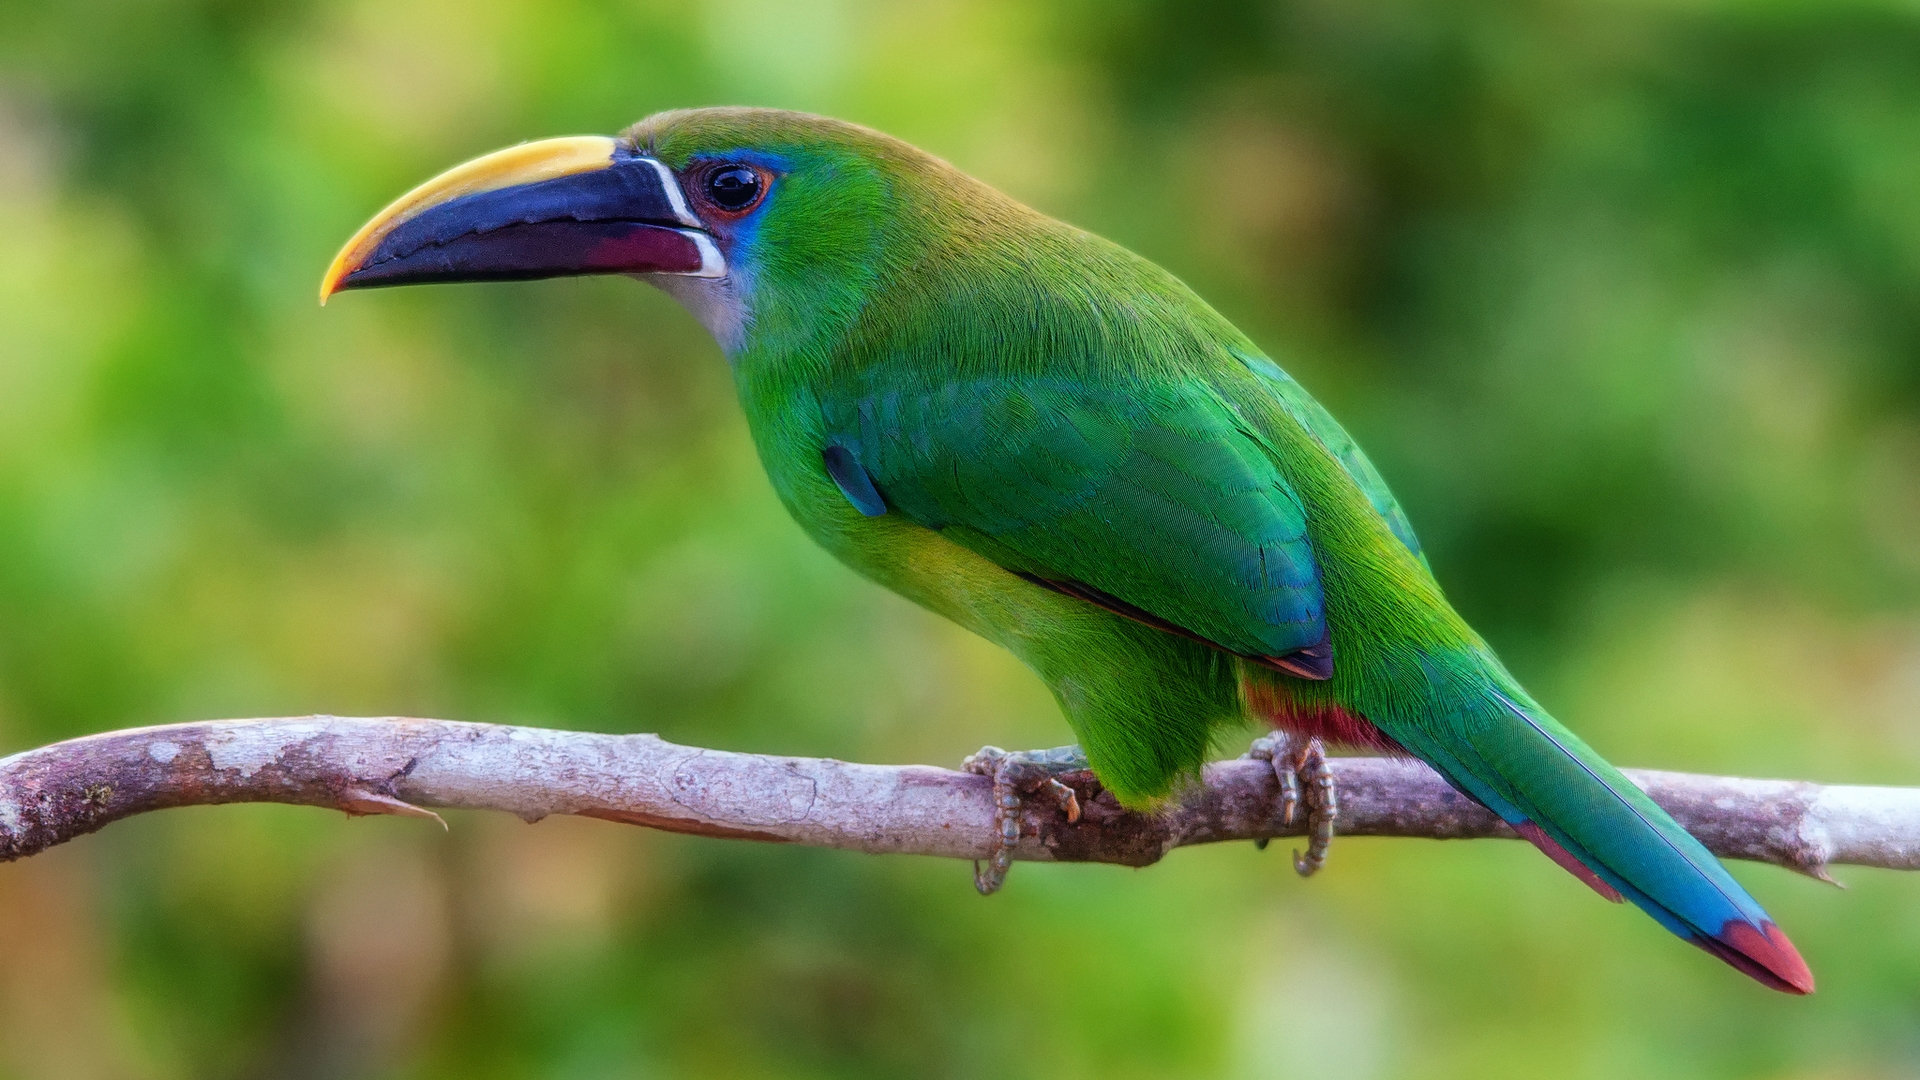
[{"x": 1032, "y": 399}]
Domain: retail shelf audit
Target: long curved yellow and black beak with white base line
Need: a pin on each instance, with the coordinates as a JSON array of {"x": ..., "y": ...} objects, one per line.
[{"x": 552, "y": 209}]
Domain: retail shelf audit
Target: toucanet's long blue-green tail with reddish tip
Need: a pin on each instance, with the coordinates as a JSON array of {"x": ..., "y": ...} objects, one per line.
[{"x": 1591, "y": 820}]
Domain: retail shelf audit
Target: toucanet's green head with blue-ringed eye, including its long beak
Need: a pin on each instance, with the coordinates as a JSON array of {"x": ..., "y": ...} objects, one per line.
[{"x": 769, "y": 226}]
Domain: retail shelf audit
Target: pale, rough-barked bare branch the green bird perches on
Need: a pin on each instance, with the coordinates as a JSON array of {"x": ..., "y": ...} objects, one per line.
[{"x": 406, "y": 766}]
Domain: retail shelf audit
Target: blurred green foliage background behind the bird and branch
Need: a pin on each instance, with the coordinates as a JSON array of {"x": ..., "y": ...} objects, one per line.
[{"x": 1623, "y": 299}]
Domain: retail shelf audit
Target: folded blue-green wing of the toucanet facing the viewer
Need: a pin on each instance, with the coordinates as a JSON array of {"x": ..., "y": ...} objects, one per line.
[{"x": 1153, "y": 501}]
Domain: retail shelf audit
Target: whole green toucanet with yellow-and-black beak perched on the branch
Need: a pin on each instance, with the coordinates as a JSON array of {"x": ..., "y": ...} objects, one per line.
[{"x": 1057, "y": 445}]
